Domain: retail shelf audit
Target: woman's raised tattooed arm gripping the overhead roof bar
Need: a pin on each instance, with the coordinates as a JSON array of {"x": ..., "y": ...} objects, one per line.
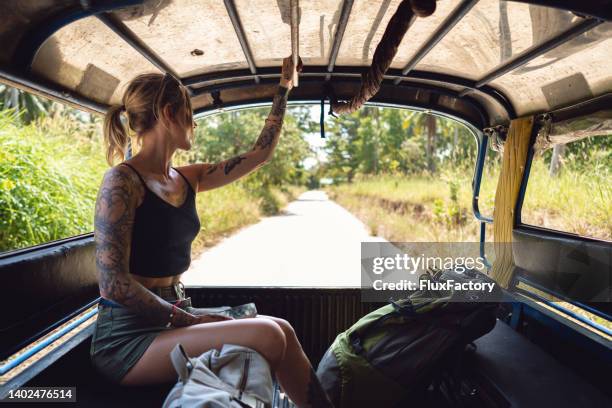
[{"x": 213, "y": 175}]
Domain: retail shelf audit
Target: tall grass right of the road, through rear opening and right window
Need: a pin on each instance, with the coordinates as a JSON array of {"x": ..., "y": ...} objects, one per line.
[{"x": 438, "y": 208}]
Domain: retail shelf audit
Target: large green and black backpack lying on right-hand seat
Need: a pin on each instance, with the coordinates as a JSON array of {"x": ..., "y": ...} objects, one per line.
[{"x": 398, "y": 350}]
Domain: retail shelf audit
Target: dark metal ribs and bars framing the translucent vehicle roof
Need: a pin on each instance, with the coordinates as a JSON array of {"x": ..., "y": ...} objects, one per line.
[{"x": 211, "y": 82}]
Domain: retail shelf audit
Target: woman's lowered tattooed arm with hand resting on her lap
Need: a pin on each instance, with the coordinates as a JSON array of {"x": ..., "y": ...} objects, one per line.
[{"x": 113, "y": 221}]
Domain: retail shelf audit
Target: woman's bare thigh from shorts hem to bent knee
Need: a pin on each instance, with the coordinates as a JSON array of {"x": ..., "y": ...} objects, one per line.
[{"x": 262, "y": 335}]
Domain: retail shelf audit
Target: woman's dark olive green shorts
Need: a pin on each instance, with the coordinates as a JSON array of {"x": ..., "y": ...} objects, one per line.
[{"x": 120, "y": 338}]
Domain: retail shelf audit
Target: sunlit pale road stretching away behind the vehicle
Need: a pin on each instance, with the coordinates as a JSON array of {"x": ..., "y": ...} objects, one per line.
[{"x": 315, "y": 242}]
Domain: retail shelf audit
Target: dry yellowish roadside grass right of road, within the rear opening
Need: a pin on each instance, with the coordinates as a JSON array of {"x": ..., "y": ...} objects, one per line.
[{"x": 411, "y": 208}]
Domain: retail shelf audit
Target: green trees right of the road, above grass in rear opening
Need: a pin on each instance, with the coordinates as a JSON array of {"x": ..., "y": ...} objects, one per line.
[{"x": 393, "y": 141}]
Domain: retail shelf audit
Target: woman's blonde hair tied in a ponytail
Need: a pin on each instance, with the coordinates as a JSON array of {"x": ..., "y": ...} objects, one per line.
[{"x": 143, "y": 102}]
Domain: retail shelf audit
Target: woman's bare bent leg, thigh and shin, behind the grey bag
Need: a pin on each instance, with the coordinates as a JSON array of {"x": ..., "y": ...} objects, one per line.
[{"x": 265, "y": 335}]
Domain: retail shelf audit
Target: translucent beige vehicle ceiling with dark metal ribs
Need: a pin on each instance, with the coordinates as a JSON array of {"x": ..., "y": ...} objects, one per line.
[{"x": 484, "y": 61}]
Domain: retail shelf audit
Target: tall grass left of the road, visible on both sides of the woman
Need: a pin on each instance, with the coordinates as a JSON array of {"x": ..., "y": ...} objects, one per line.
[{"x": 50, "y": 173}]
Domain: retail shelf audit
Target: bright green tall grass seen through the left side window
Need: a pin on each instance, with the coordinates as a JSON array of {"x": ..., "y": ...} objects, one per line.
[{"x": 48, "y": 170}]
